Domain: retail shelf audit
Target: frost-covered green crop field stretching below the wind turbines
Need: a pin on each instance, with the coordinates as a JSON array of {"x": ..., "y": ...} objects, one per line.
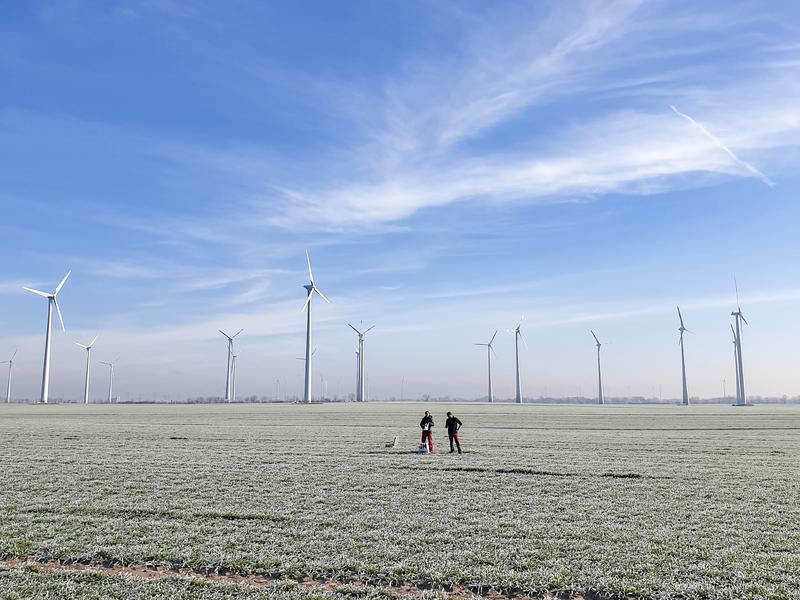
[{"x": 698, "y": 502}]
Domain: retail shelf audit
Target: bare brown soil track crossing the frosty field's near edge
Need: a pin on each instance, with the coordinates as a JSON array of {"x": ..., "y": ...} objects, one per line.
[{"x": 351, "y": 586}]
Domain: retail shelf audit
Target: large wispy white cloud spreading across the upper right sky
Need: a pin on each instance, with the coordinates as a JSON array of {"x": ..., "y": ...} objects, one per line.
[{"x": 428, "y": 151}]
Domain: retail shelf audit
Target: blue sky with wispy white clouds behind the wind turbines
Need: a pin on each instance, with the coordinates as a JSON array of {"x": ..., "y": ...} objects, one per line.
[{"x": 451, "y": 167}]
